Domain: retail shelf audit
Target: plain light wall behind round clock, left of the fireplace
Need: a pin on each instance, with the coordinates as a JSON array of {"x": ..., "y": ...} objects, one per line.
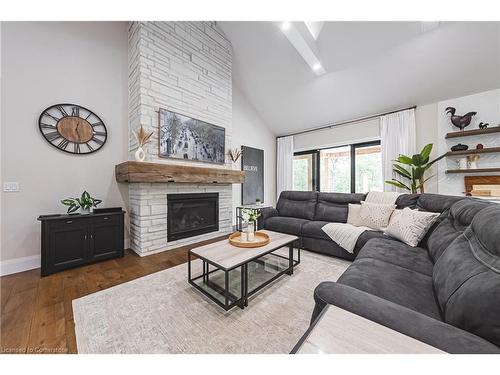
[{"x": 44, "y": 63}]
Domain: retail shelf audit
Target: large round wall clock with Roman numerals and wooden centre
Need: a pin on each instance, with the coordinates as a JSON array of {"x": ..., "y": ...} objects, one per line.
[{"x": 72, "y": 128}]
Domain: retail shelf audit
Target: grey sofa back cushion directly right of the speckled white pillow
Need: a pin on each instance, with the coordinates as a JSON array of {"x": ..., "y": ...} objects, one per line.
[{"x": 451, "y": 224}]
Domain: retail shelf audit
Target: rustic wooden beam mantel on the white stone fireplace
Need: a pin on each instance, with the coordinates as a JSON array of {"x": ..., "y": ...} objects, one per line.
[{"x": 134, "y": 171}]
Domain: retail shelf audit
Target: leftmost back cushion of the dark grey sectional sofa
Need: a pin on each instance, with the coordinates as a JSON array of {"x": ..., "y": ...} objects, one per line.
[{"x": 299, "y": 204}]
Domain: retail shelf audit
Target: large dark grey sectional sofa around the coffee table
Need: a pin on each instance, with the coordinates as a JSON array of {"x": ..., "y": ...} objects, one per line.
[{"x": 445, "y": 292}]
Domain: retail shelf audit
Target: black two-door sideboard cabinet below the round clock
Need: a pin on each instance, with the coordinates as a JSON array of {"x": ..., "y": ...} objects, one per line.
[{"x": 70, "y": 241}]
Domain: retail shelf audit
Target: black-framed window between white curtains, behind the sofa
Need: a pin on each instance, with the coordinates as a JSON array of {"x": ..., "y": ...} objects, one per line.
[{"x": 353, "y": 168}]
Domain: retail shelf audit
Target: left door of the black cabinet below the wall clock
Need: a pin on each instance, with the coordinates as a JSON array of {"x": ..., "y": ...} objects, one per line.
[{"x": 68, "y": 245}]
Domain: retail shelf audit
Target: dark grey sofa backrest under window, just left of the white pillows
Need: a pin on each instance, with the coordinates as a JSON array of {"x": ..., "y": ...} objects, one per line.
[{"x": 332, "y": 207}]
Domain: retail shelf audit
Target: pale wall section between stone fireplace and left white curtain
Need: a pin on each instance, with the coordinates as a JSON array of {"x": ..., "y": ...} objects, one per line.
[{"x": 250, "y": 130}]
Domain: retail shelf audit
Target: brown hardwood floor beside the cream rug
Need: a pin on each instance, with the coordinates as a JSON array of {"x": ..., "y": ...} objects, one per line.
[{"x": 37, "y": 314}]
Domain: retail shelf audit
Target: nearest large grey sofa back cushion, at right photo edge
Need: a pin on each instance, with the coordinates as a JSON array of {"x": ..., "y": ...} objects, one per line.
[{"x": 467, "y": 277}]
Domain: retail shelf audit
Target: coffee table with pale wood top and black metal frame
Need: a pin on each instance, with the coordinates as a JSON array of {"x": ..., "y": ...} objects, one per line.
[{"x": 228, "y": 275}]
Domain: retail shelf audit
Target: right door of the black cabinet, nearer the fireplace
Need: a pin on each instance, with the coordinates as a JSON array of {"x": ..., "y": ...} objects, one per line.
[{"x": 106, "y": 238}]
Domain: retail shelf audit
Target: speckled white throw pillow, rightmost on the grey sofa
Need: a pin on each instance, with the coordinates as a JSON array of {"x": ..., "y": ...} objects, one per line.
[{"x": 410, "y": 226}]
